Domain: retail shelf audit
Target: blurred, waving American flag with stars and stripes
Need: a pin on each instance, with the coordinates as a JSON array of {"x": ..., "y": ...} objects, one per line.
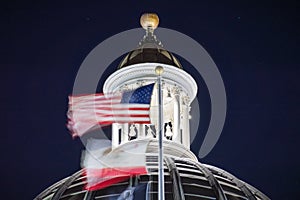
[{"x": 87, "y": 112}]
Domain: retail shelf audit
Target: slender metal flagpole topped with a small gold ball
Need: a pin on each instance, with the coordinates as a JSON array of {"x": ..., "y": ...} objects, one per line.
[{"x": 161, "y": 190}]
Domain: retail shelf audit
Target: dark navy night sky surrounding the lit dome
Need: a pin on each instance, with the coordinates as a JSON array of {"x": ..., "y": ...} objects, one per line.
[{"x": 254, "y": 45}]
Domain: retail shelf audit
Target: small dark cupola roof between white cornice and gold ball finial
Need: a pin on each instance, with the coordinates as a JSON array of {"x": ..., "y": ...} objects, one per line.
[{"x": 146, "y": 54}]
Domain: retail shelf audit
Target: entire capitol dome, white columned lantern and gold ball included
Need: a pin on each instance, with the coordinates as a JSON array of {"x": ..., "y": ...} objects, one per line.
[{"x": 185, "y": 178}]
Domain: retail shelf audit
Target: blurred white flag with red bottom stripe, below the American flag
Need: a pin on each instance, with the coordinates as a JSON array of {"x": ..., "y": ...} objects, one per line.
[{"x": 104, "y": 167}]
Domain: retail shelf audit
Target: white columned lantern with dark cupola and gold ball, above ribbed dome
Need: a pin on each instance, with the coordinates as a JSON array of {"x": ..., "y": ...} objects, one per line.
[{"x": 179, "y": 89}]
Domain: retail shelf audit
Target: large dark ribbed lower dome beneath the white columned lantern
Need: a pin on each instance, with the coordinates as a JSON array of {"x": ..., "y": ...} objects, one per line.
[{"x": 185, "y": 179}]
